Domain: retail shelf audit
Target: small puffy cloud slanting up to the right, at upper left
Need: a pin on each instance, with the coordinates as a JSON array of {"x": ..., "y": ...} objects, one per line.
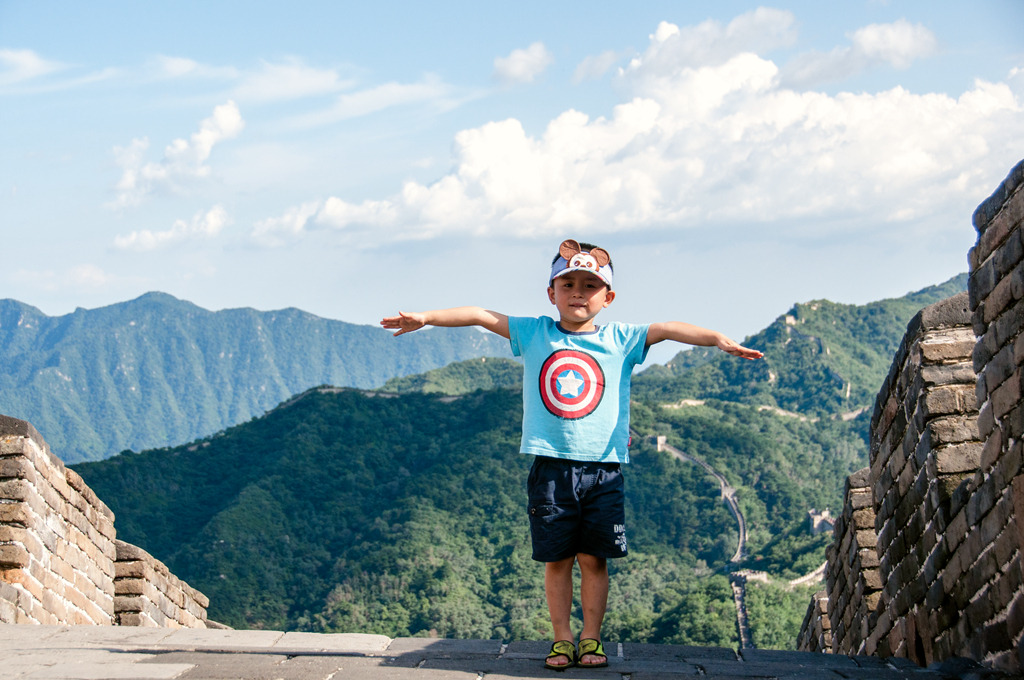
[{"x": 184, "y": 160}]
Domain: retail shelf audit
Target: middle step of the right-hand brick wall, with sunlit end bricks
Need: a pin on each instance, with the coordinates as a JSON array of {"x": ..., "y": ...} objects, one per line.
[{"x": 924, "y": 446}]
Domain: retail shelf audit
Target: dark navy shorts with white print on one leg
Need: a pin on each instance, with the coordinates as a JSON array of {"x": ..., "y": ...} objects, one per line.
[{"x": 576, "y": 507}]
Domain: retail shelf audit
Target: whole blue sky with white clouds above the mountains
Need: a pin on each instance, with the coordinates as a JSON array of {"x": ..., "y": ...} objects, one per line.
[{"x": 356, "y": 160}]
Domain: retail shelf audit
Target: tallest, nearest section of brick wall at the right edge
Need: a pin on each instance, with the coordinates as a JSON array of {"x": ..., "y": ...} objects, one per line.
[{"x": 990, "y": 558}]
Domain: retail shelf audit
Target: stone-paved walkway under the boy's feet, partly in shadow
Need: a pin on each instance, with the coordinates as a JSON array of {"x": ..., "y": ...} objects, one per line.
[{"x": 96, "y": 653}]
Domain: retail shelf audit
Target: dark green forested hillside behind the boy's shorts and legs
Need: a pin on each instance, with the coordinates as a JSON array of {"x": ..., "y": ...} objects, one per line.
[{"x": 346, "y": 512}]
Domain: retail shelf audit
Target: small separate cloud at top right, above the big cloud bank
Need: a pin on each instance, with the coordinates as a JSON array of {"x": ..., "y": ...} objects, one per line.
[{"x": 898, "y": 45}]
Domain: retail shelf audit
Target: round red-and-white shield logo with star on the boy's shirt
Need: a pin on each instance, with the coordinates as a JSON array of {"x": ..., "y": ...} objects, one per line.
[{"x": 572, "y": 385}]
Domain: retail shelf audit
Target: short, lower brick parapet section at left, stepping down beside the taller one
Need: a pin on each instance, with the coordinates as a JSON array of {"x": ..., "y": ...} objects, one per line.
[{"x": 146, "y": 593}]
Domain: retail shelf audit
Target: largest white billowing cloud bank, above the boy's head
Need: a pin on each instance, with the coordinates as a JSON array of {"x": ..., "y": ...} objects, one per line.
[{"x": 708, "y": 140}]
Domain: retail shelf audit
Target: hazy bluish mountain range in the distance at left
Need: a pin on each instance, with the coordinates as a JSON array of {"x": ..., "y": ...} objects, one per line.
[{"x": 158, "y": 371}]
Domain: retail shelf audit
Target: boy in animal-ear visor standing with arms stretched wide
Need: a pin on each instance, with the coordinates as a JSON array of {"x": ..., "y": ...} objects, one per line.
[{"x": 576, "y": 422}]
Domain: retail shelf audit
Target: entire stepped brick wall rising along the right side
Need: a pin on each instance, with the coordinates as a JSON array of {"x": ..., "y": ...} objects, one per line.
[{"x": 926, "y": 557}]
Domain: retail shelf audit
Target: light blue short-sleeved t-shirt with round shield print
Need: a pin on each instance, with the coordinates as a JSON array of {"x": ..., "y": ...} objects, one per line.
[{"x": 576, "y": 390}]
